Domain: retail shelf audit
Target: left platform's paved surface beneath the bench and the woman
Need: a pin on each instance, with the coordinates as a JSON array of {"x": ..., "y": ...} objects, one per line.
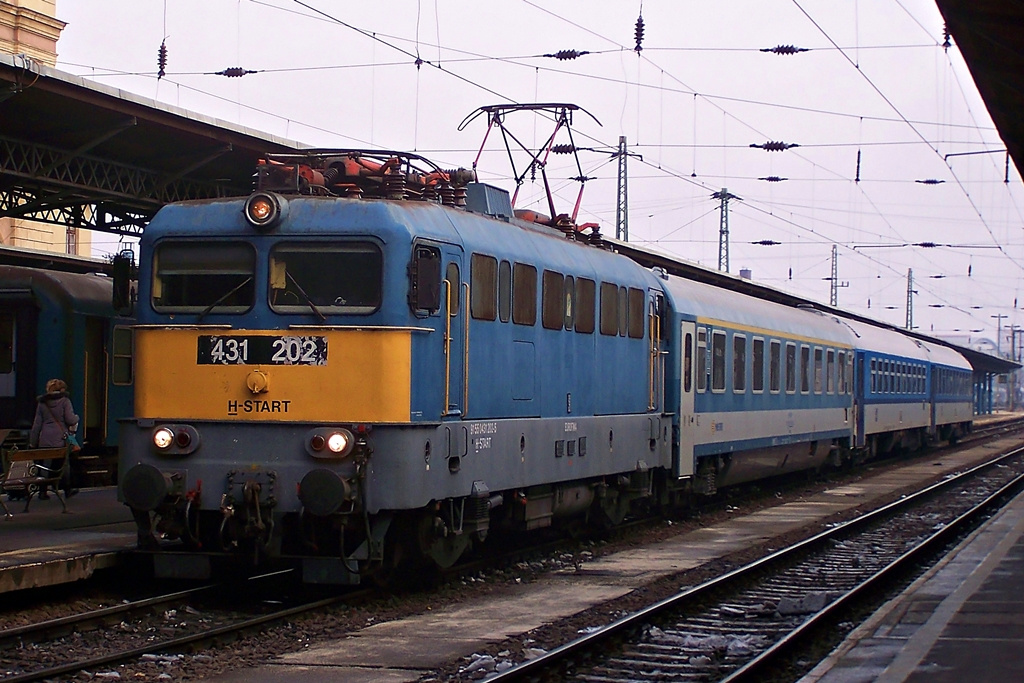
[{"x": 48, "y": 547}]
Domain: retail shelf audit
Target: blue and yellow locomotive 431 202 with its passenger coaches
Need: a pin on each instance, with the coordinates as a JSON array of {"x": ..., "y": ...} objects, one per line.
[{"x": 370, "y": 363}]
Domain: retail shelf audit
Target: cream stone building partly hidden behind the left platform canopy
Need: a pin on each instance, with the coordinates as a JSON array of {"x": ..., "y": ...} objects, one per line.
[{"x": 30, "y": 29}]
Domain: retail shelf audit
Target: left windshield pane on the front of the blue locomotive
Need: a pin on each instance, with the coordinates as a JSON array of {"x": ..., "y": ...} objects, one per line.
[{"x": 195, "y": 277}]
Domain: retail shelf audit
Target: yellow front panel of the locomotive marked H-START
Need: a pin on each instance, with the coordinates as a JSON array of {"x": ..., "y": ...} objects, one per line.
[{"x": 366, "y": 377}]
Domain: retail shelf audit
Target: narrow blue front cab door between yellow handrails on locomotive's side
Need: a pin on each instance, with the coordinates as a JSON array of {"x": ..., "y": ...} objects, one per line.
[{"x": 455, "y": 301}]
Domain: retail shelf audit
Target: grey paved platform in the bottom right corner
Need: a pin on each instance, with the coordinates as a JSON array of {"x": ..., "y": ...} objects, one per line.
[{"x": 962, "y": 621}]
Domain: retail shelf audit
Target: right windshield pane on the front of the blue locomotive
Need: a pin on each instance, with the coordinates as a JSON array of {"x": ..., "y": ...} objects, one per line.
[{"x": 337, "y": 278}]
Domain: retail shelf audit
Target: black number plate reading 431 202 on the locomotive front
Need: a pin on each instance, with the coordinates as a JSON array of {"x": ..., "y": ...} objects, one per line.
[{"x": 251, "y": 351}]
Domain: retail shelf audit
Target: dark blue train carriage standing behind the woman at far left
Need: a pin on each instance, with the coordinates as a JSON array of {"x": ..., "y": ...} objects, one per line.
[{"x": 64, "y": 325}]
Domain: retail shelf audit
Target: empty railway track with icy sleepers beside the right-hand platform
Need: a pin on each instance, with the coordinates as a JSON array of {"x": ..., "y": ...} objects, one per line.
[{"x": 753, "y": 623}]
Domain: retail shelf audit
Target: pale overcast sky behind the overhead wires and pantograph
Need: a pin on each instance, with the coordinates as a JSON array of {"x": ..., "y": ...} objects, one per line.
[{"x": 876, "y": 105}]
